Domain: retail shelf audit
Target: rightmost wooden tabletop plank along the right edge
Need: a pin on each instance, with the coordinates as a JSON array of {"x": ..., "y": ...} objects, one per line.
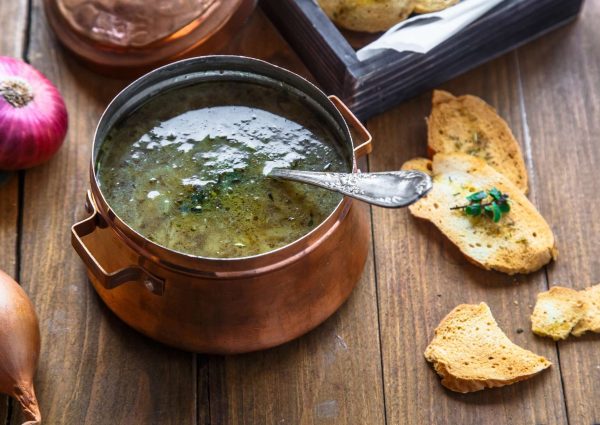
[{"x": 561, "y": 86}]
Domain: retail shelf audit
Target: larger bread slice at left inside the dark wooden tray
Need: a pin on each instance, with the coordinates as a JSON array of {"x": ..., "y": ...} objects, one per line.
[{"x": 367, "y": 15}]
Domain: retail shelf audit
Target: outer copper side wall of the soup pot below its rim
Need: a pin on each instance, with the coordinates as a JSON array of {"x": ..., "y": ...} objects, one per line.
[{"x": 239, "y": 313}]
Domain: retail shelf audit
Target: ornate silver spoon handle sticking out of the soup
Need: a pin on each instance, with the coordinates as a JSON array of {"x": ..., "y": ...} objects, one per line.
[{"x": 393, "y": 189}]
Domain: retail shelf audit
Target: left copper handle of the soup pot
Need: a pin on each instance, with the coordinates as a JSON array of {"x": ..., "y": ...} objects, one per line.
[{"x": 106, "y": 279}]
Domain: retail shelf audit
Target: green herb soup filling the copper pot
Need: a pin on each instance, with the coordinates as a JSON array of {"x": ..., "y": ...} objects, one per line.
[{"x": 187, "y": 169}]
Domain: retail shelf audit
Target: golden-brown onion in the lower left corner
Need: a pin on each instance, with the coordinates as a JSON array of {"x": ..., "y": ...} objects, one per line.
[{"x": 19, "y": 347}]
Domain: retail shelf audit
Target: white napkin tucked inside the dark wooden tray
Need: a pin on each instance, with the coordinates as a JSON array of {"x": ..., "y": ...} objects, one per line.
[{"x": 423, "y": 32}]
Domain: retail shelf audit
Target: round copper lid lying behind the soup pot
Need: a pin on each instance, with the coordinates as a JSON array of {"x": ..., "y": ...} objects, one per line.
[{"x": 129, "y": 37}]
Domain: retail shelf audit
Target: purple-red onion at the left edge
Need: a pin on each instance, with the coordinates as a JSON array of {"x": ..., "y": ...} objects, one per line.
[{"x": 33, "y": 116}]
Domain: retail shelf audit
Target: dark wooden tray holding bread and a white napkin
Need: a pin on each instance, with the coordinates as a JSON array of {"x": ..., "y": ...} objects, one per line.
[{"x": 378, "y": 83}]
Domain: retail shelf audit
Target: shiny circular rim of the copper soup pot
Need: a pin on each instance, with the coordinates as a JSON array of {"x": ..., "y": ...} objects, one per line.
[{"x": 215, "y": 266}]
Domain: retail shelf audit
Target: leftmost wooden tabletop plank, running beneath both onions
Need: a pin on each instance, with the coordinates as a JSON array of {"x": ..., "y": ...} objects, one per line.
[{"x": 13, "y": 21}]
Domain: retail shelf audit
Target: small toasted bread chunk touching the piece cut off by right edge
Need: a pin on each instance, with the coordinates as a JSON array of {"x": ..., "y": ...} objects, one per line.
[{"x": 556, "y": 312}]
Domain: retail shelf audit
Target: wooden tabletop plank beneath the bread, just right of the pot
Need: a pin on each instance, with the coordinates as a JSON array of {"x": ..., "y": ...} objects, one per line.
[{"x": 421, "y": 277}]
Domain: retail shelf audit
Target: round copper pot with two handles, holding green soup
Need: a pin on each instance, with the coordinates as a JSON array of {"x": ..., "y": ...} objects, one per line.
[{"x": 230, "y": 305}]
